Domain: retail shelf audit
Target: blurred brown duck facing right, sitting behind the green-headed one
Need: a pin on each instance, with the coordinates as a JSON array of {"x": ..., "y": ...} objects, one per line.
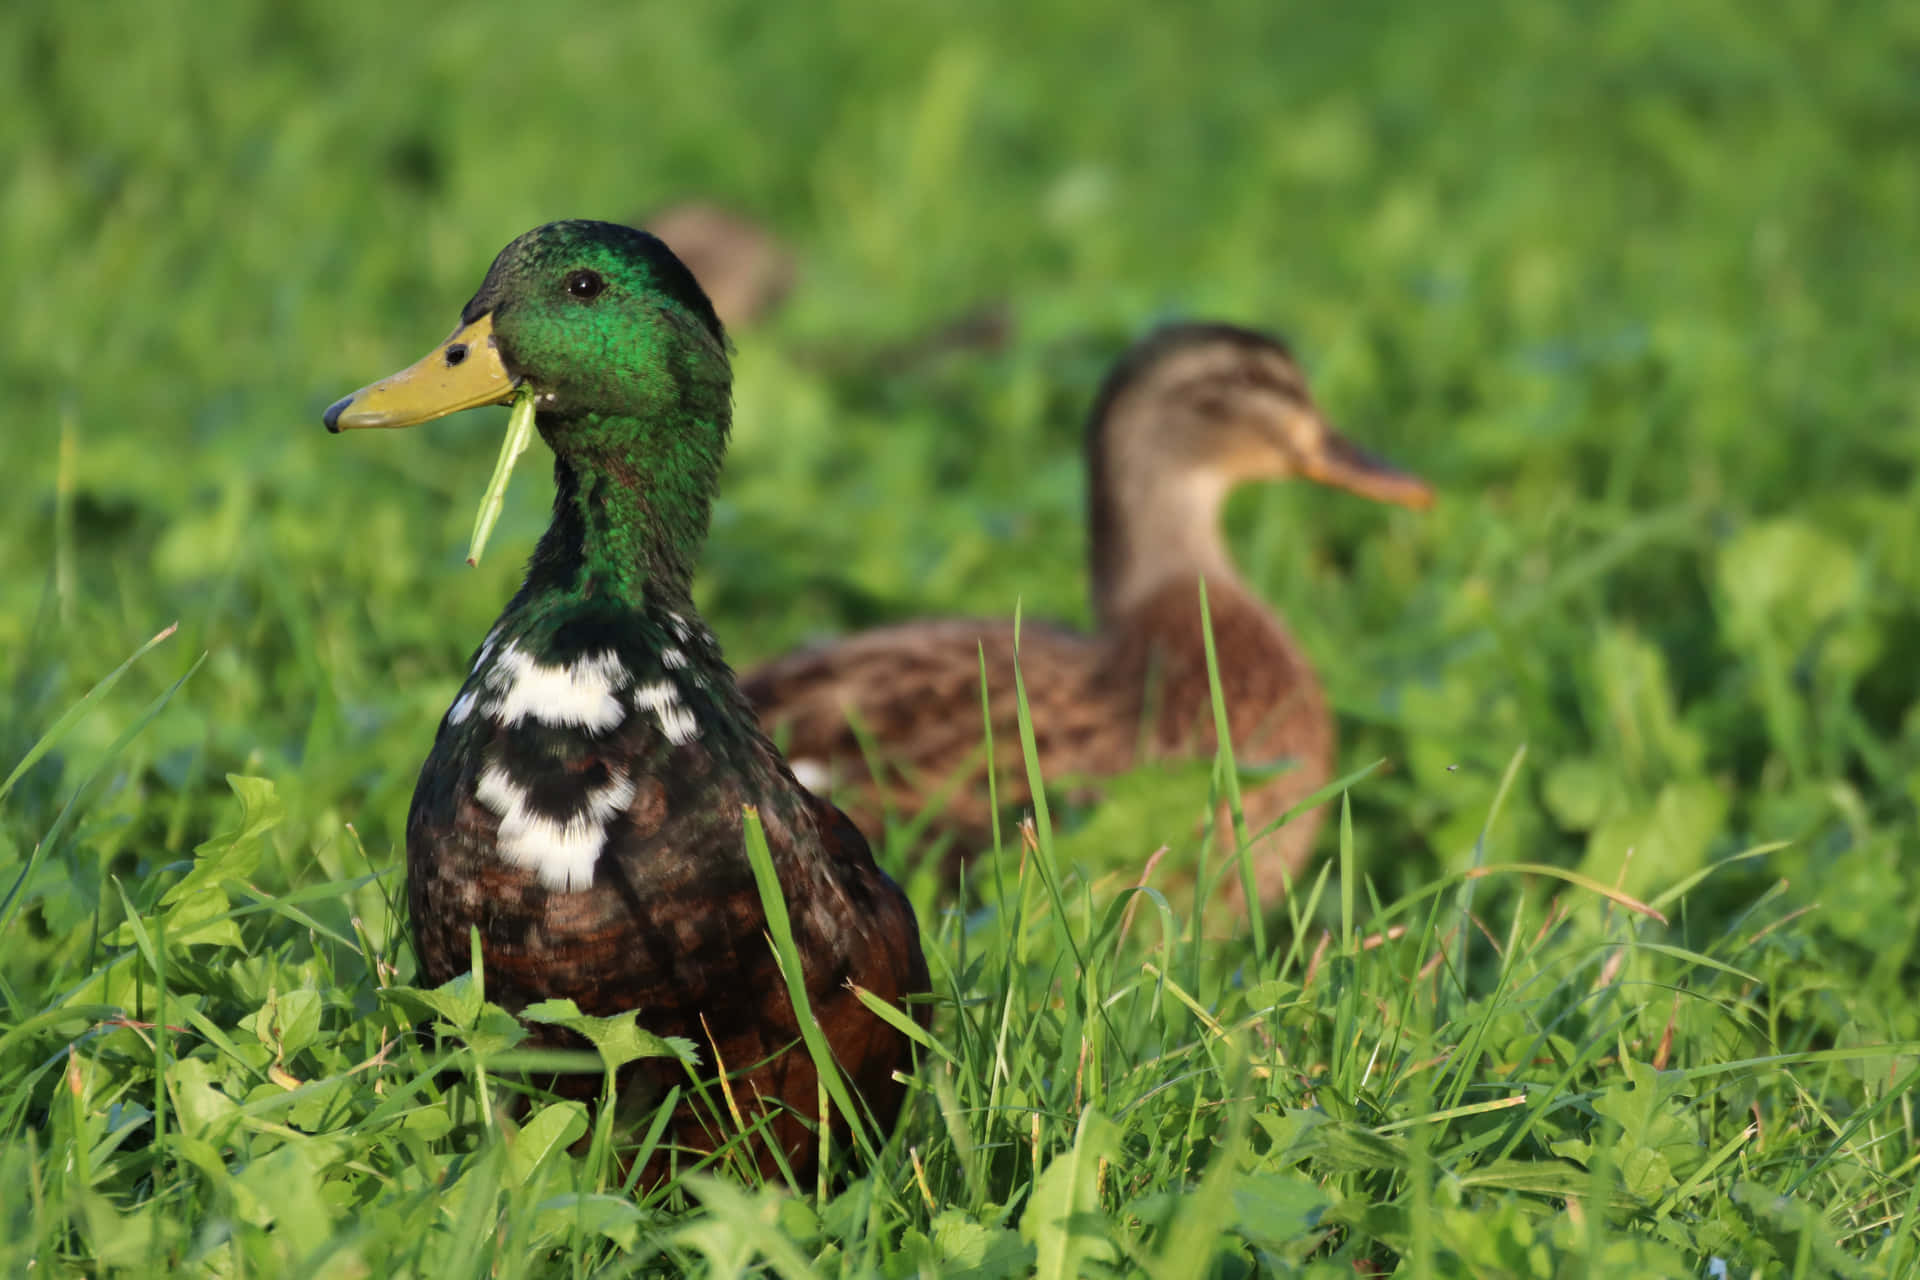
[{"x": 890, "y": 721}]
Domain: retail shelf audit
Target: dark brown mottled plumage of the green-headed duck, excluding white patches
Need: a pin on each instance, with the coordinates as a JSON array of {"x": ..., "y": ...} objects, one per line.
[{"x": 675, "y": 928}]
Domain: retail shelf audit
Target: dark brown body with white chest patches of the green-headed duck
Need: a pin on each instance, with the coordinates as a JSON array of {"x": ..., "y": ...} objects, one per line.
[{"x": 577, "y": 817}]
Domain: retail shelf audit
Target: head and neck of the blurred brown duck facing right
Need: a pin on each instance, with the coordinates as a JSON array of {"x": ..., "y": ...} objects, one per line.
[{"x": 1189, "y": 414}]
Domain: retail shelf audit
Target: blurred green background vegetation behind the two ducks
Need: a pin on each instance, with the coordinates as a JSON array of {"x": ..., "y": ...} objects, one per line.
[{"x": 1635, "y": 285}]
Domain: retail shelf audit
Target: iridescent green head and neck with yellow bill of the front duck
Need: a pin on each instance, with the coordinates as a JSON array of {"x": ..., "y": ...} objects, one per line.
[{"x": 629, "y": 373}]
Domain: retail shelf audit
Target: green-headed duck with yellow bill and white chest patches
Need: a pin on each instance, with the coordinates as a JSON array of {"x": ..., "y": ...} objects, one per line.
[{"x": 585, "y": 799}]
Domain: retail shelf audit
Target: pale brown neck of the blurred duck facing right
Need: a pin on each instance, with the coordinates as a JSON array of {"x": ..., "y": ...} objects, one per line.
[{"x": 1151, "y": 529}]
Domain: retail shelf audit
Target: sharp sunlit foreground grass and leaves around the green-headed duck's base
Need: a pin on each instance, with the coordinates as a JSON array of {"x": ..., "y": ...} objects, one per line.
[{"x": 239, "y": 1083}]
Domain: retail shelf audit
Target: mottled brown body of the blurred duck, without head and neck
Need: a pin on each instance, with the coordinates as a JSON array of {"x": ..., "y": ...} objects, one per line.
[{"x": 1101, "y": 705}]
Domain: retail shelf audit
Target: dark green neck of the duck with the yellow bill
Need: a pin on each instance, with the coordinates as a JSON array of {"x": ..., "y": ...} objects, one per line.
[{"x": 621, "y": 531}]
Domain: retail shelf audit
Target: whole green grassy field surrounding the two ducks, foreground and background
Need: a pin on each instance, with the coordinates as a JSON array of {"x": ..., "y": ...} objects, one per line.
[{"x": 1633, "y": 285}]
